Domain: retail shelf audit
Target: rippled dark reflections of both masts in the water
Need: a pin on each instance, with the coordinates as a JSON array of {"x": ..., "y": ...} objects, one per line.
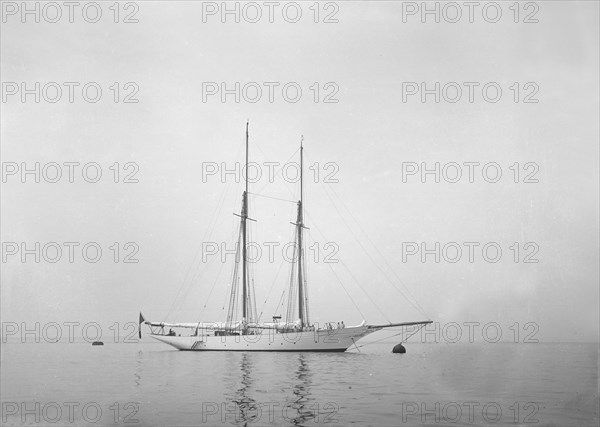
[{"x": 298, "y": 409}]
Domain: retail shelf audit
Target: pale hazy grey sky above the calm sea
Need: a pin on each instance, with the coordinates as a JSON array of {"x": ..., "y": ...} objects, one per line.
[{"x": 368, "y": 135}]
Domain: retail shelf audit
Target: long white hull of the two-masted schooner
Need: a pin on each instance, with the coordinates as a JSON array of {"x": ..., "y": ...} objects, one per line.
[{"x": 270, "y": 340}]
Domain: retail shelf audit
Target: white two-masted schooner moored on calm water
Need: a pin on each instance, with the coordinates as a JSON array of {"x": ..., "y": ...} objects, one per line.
[{"x": 295, "y": 333}]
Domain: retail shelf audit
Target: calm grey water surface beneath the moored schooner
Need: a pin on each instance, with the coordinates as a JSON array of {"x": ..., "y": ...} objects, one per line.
[{"x": 432, "y": 384}]
